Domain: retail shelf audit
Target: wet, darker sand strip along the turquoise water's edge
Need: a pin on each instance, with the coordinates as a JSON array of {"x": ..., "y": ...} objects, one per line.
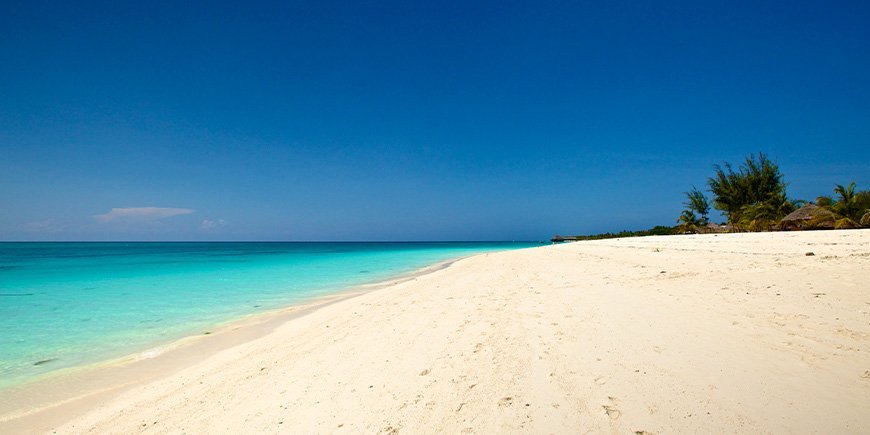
[{"x": 81, "y": 386}]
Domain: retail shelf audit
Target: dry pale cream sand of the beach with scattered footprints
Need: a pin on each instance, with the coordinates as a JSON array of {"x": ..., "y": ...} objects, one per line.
[{"x": 739, "y": 333}]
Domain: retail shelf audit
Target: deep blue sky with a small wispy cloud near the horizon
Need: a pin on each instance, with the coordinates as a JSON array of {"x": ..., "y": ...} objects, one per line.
[{"x": 405, "y": 120}]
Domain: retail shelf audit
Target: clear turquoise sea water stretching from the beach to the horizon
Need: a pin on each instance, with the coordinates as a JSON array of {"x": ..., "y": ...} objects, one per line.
[{"x": 68, "y": 304}]
